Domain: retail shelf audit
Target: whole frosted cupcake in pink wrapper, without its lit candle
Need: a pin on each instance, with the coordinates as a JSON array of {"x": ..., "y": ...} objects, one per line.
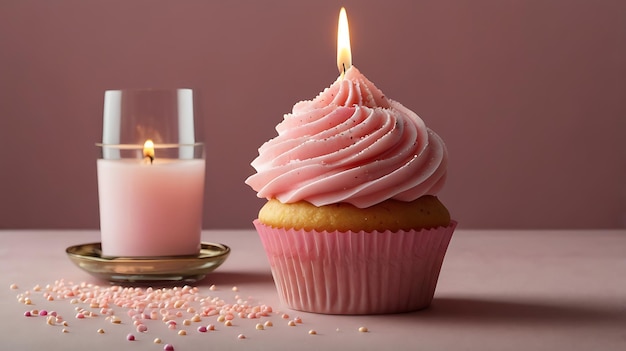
[{"x": 353, "y": 224}]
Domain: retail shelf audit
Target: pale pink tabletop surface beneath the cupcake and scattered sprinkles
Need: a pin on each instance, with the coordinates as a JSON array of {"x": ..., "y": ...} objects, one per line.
[{"x": 498, "y": 290}]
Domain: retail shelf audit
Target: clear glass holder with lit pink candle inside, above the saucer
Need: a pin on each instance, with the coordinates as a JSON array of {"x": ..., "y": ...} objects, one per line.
[{"x": 151, "y": 174}]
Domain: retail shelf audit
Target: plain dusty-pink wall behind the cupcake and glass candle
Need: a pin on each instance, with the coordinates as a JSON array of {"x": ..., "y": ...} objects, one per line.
[{"x": 529, "y": 95}]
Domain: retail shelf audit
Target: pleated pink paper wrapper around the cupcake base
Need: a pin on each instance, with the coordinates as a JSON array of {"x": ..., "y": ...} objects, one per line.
[{"x": 355, "y": 272}]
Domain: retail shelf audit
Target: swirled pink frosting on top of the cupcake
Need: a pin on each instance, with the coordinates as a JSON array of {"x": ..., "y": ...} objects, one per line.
[{"x": 350, "y": 144}]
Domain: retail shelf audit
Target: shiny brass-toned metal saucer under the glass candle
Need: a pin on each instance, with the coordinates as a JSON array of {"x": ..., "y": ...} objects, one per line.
[{"x": 149, "y": 269}]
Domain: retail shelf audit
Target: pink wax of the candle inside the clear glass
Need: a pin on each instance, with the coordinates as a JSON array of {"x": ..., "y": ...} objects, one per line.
[{"x": 150, "y": 208}]
